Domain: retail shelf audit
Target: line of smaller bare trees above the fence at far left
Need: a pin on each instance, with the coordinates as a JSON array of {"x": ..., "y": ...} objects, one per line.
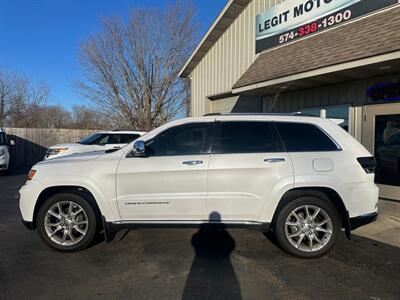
[{"x": 23, "y": 104}]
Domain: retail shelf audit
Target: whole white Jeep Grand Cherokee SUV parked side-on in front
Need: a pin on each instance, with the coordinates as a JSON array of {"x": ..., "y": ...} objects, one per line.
[{"x": 303, "y": 178}]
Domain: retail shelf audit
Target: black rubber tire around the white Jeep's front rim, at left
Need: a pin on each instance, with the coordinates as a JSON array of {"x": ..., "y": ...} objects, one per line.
[{"x": 92, "y": 222}]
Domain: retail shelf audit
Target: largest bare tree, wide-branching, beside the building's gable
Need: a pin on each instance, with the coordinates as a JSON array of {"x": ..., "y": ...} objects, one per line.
[{"x": 131, "y": 69}]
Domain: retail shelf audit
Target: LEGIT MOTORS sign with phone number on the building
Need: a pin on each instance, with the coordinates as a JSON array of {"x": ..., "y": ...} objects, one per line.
[{"x": 294, "y": 19}]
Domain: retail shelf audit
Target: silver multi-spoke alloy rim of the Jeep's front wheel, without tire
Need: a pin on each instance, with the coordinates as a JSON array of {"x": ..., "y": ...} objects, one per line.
[{"x": 66, "y": 223}]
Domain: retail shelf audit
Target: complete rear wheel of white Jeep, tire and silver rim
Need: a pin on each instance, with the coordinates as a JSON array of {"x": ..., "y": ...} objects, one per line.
[{"x": 307, "y": 227}]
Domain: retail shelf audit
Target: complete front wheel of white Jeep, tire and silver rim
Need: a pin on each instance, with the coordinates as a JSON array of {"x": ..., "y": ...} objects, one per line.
[{"x": 66, "y": 222}]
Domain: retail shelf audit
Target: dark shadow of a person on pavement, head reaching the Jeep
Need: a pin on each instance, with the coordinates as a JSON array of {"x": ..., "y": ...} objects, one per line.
[{"x": 211, "y": 274}]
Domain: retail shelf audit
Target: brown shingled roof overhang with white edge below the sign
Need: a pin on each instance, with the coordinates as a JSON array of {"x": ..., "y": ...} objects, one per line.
[{"x": 364, "y": 48}]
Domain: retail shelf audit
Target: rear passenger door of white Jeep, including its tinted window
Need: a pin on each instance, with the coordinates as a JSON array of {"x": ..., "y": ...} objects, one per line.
[{"x": 247, "y": 161}]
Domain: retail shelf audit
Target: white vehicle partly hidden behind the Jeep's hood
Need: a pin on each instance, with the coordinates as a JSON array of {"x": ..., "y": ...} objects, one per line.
[{"x": 96, "y": 142}]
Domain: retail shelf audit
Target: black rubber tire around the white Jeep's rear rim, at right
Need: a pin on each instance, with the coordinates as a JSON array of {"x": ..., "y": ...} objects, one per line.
[{"x": 279, "y": 227}]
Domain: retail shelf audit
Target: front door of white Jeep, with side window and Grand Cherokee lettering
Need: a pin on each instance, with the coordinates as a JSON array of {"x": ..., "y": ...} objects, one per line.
[{"x": 169, "y": 183}]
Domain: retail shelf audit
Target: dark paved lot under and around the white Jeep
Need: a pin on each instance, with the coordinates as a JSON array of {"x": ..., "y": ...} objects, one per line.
[{"x": 188, "y": 264}]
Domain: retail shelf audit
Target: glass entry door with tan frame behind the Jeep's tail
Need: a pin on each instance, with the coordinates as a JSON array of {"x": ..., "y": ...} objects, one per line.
[{"x": 381, "y": 135}]
